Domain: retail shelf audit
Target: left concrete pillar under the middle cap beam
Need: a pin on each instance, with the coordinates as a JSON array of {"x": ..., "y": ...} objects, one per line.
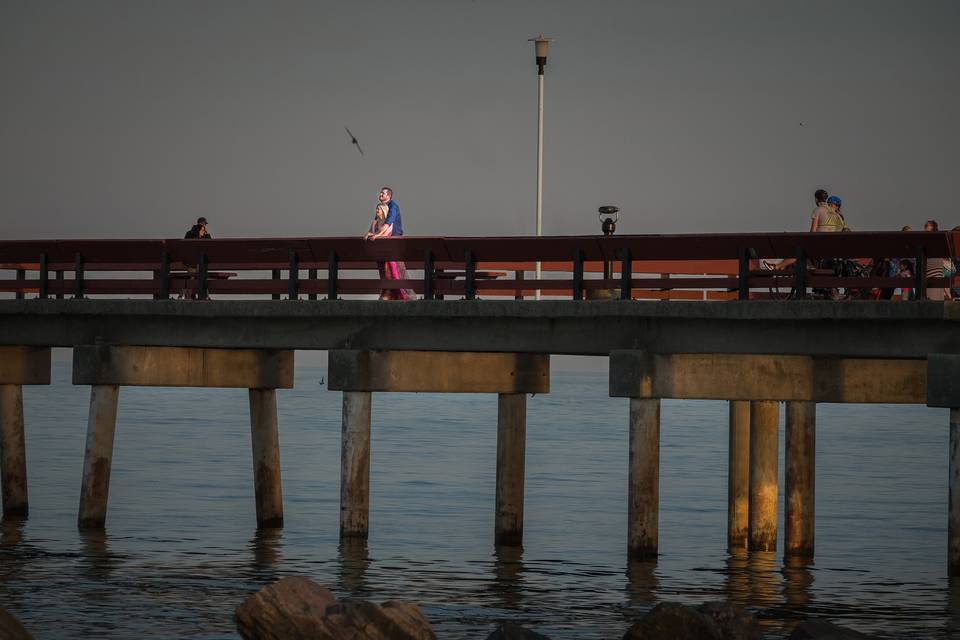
[{"x": 355, "y": 465}]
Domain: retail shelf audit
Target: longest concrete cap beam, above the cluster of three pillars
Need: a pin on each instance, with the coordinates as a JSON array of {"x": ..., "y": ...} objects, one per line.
[{"x": 637, "y": 374}]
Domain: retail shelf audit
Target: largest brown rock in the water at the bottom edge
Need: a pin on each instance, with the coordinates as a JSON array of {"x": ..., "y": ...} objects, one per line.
[{"x": 298, "y": 607}]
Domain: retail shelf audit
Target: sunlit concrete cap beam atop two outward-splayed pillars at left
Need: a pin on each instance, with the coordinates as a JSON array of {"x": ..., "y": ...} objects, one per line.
[{"x": 183, "y": 367}]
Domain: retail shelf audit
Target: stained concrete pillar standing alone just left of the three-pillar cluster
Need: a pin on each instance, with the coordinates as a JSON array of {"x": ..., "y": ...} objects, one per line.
[{"x": 644, "y": 478}]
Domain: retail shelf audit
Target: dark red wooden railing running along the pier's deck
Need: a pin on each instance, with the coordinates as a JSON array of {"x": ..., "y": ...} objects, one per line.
[{"x": 710, "y": 267}]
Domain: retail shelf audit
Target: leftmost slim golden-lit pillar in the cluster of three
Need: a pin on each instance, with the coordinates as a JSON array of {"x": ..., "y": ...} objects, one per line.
[{"x": 738, "y": 475}]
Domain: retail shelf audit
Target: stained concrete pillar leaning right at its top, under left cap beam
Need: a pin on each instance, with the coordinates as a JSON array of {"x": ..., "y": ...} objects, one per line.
[{"x": 98, "y": 456}]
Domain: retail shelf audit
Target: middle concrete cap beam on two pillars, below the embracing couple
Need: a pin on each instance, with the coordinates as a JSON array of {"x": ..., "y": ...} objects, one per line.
[{"x": 438, "y": 372}]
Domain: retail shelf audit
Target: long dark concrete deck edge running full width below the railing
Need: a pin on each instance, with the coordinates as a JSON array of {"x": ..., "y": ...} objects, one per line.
[{"x": 864, "y": 329}]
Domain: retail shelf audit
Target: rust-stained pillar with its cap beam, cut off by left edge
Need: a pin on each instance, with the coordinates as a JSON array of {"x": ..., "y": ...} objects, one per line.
[{"x": 18, "y": 366}]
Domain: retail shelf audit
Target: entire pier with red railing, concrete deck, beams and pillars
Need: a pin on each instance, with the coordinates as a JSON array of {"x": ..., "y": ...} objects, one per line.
[{"x": 713, "y": 334}]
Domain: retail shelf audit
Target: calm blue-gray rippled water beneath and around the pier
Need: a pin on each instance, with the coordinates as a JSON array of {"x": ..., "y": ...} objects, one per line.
[{"x": 181, "y": 549}]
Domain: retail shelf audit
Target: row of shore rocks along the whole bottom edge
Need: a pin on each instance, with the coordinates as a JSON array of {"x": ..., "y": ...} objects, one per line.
[{"x": 298, "y": 608}]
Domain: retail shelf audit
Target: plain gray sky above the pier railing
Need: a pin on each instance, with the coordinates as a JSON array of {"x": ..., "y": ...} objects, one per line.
[{"x": 125, "y": 119}]
